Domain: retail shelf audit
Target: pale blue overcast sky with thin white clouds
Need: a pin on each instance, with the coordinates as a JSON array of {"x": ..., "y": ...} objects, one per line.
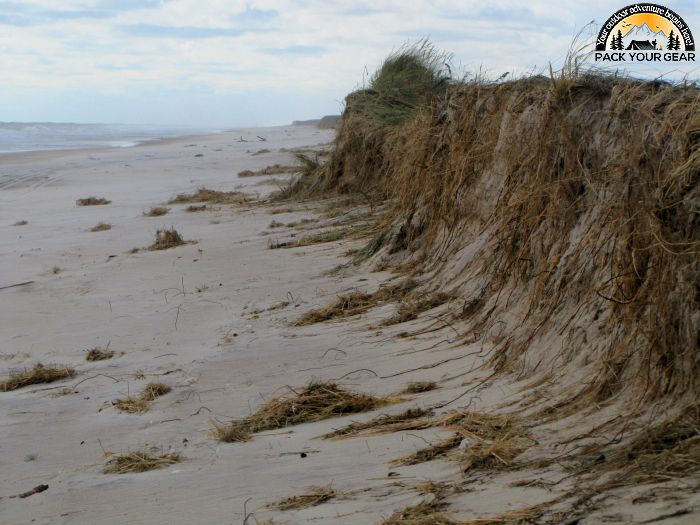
[{"x": 219, "y": 63}]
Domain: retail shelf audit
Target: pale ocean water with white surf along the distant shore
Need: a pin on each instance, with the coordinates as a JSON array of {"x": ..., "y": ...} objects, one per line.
[{"x": 40, "y": 136}]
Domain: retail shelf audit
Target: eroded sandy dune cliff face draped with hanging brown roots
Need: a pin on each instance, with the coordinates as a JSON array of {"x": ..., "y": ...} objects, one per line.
[{"x": 563, "y": 213}]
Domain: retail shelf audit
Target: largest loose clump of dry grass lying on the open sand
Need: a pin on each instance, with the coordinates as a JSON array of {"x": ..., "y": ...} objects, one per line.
[{"x": 316, "y": 402}]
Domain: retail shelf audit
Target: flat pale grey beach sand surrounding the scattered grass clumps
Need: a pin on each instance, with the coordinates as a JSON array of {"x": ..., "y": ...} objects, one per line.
[{"x": 183, "y": 317}]
